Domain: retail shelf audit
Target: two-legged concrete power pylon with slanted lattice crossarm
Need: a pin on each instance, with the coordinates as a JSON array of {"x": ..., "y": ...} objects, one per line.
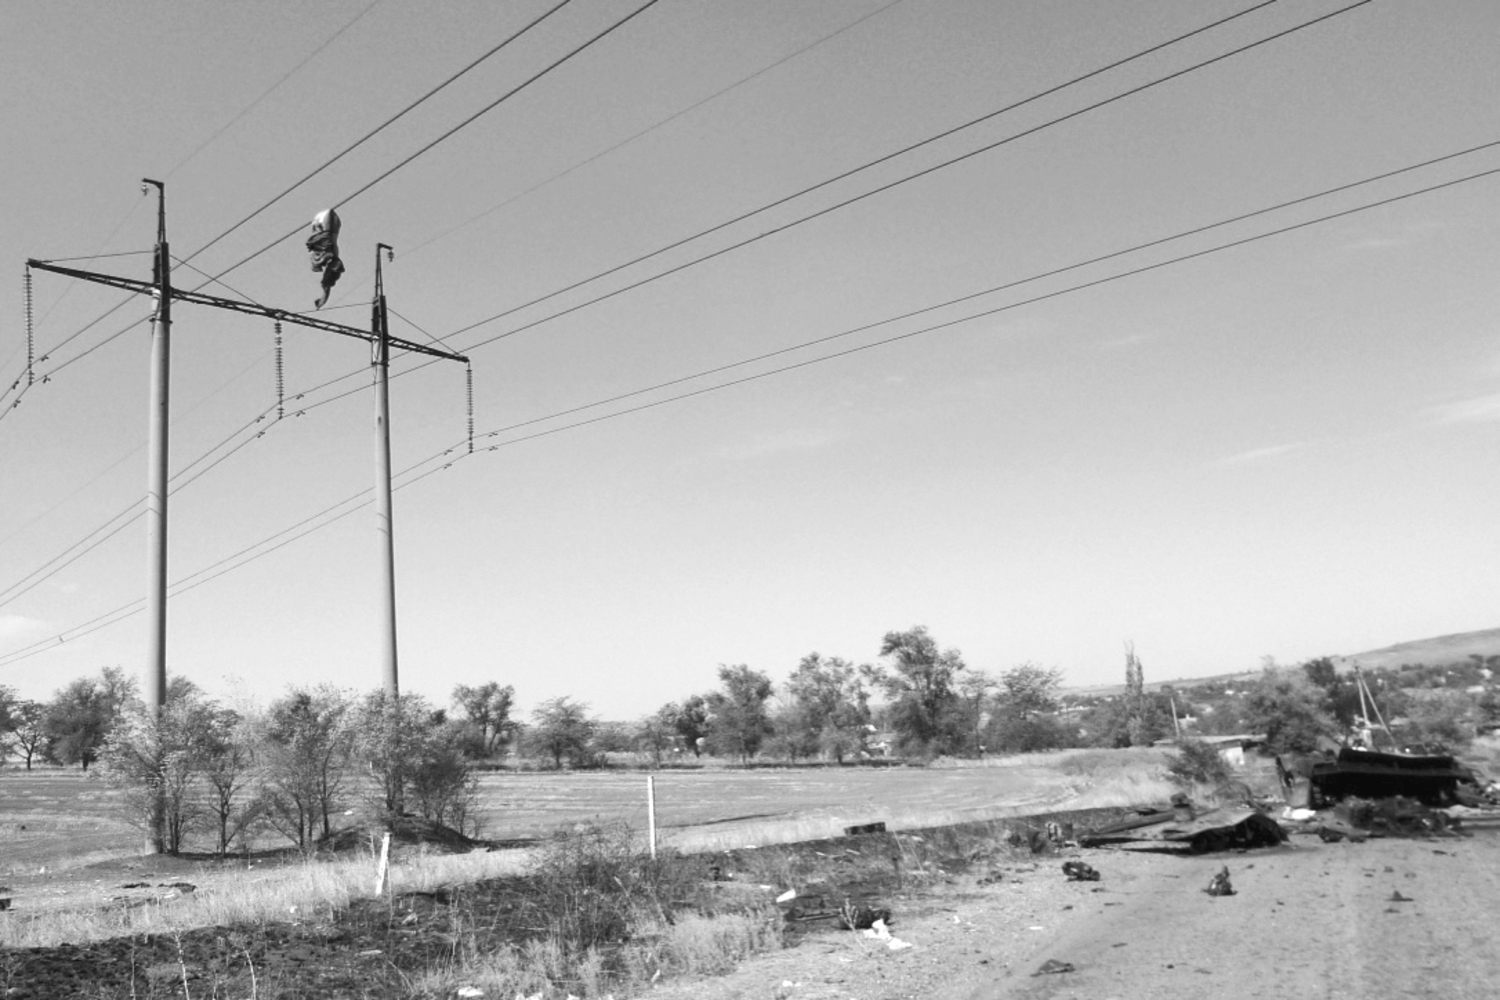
[{"x": 382, "y": 344}]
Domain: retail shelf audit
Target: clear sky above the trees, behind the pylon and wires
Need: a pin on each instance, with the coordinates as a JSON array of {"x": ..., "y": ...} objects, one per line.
[{"x": 1285, "y": 449}]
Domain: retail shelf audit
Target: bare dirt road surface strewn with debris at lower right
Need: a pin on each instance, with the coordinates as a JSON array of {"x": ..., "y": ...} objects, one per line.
[{"x": 1309, "y": 920}]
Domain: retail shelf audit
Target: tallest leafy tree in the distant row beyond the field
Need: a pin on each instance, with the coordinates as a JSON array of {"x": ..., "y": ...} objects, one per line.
[{"x": 922, "y": 683}]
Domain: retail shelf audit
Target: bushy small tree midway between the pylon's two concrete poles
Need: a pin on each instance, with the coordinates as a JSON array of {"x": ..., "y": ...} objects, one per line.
[{"x": 304, "y": 747}]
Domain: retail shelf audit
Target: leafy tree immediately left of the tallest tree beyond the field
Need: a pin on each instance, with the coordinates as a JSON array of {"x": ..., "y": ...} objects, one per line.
[{"x": 827, "y": 707}]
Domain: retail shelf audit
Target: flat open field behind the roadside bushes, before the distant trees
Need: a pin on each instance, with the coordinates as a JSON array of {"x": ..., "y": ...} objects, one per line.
[{"x": 64, "y": 819}]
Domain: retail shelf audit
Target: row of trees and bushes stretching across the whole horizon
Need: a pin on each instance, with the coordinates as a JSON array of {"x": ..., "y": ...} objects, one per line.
[{"x": 311, "y": 755}]
